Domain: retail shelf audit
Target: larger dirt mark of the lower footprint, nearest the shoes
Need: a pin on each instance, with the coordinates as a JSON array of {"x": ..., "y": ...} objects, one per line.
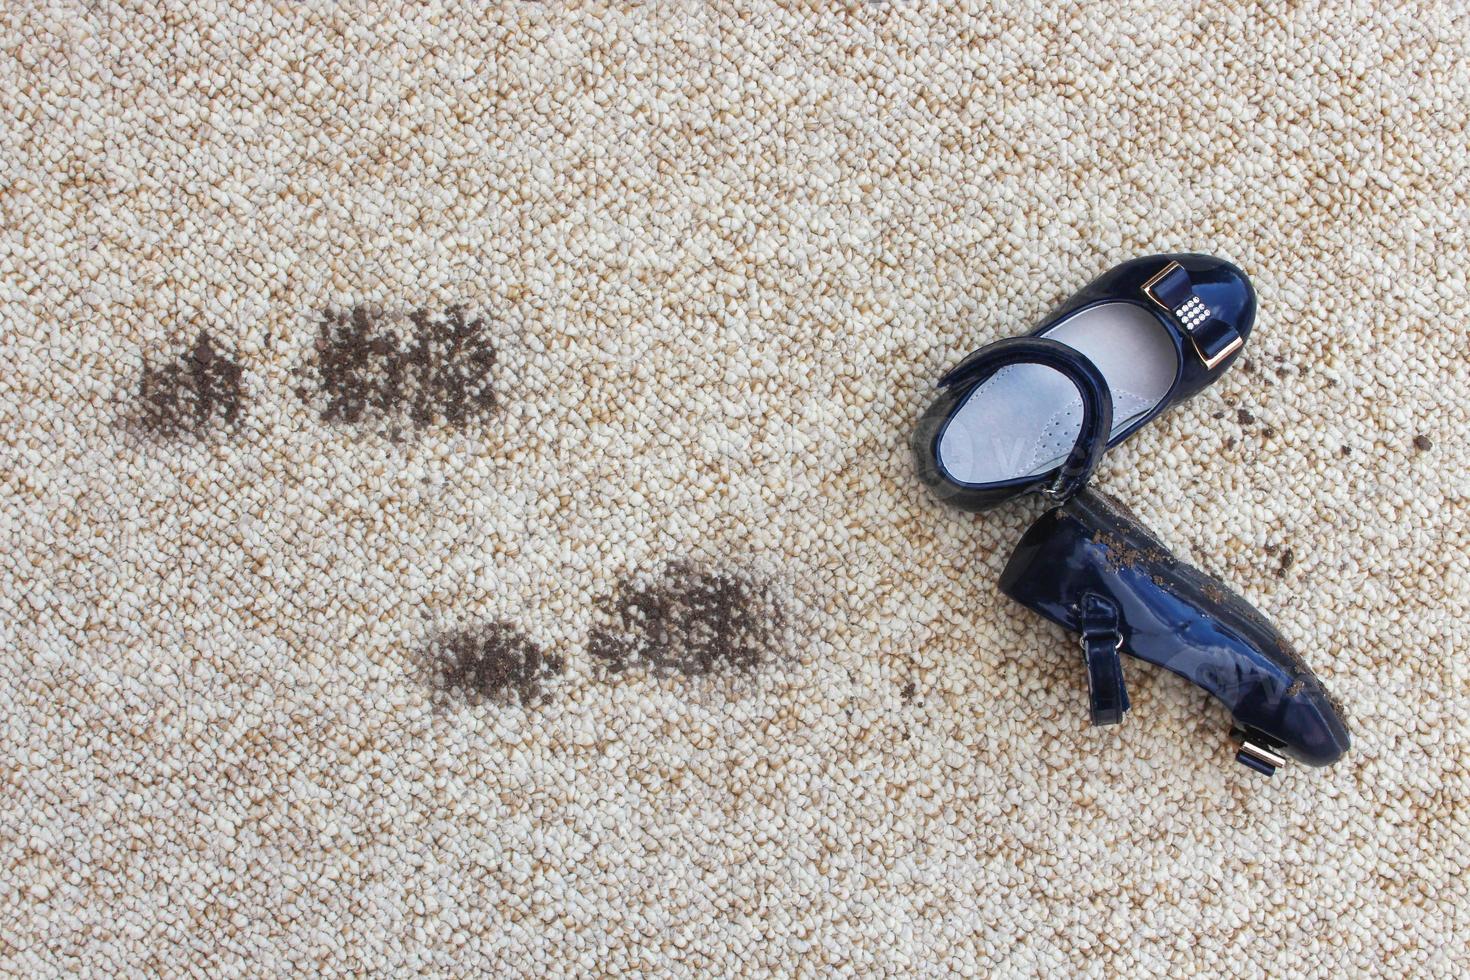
[{"x": 692, "y": 621}]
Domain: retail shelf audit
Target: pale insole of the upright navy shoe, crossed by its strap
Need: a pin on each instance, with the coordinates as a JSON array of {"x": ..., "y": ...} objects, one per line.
[{"x": 1025, "y": 418}]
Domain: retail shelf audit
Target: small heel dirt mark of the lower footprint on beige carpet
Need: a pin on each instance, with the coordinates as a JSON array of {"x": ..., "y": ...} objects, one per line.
[{"x": 495, "y": 663}]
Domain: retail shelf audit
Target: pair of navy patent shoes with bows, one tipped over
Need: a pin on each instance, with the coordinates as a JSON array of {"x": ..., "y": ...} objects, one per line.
[{"x": 1036, "y": 415}]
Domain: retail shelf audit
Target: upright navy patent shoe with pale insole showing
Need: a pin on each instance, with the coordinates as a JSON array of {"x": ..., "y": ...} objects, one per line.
[{"x": 1024, "y": 417}]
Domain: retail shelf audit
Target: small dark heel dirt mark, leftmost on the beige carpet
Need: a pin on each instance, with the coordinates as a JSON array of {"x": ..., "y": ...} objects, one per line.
[{"x": 190, "y": 393}]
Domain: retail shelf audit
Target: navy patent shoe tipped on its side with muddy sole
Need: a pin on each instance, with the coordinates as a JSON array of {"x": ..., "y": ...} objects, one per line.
[{"x": 1096, "y": 571}]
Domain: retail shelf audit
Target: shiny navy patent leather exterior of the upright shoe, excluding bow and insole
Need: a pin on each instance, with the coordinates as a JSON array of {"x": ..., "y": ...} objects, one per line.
[{"x": 1222, "y": 287}]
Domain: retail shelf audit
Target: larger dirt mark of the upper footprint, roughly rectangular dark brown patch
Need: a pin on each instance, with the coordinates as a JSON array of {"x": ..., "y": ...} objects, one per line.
[{"x": 420, "y": 370}]
